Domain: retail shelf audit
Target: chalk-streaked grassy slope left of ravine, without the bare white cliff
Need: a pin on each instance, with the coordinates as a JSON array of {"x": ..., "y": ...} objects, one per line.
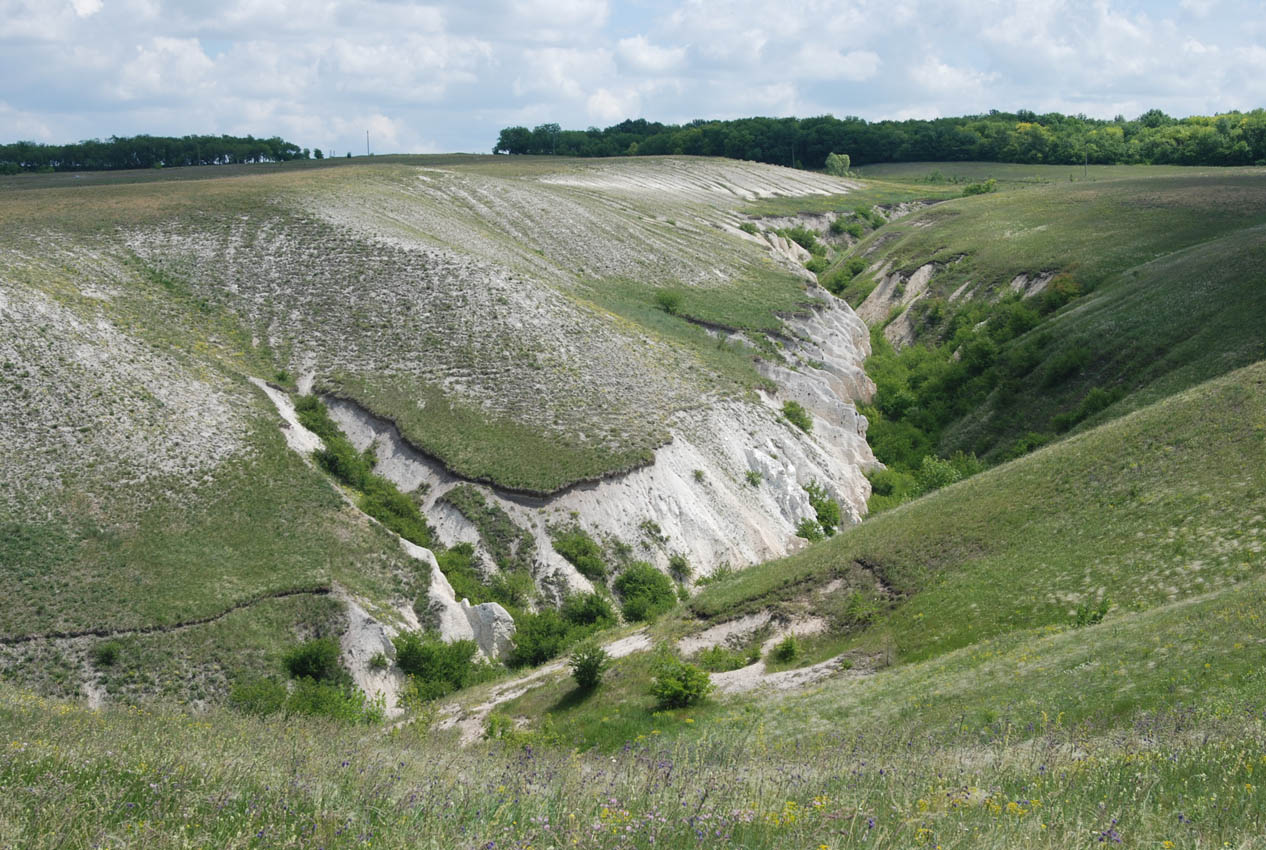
[{"x": 502, "y": 314}]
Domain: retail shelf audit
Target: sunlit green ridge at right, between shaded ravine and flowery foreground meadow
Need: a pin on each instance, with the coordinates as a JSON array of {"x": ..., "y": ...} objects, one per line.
[{"x": 1159, "y": 506}]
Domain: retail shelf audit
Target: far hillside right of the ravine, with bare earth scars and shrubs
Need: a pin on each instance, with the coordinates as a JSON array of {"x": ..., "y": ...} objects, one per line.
[{"x": 1053, "y": 303}]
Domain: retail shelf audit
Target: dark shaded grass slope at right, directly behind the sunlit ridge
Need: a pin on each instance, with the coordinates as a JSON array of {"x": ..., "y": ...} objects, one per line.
[{"x": 1160, "y": 329}]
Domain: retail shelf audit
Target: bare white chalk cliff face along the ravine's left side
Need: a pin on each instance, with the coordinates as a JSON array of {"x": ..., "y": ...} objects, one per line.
[{"x": 729, "y": 490}]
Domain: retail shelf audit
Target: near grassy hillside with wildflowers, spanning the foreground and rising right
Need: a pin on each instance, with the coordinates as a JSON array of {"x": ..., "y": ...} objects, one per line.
[{"x": 1001, "y": 724}]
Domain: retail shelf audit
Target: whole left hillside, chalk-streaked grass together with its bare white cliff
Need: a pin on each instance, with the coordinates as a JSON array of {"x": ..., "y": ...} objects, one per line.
[{"x": 594, "y": 345}]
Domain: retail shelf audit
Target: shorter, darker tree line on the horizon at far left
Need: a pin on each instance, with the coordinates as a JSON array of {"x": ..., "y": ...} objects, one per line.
[{"x": 147, "y": 153}]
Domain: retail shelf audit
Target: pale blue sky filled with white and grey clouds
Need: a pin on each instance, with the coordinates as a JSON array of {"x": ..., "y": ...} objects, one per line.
[{"x": 449, "y": 77}]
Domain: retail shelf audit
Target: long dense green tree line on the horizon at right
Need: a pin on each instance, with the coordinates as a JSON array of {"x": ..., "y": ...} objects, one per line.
[{"x": 1154, "y": 137}]
